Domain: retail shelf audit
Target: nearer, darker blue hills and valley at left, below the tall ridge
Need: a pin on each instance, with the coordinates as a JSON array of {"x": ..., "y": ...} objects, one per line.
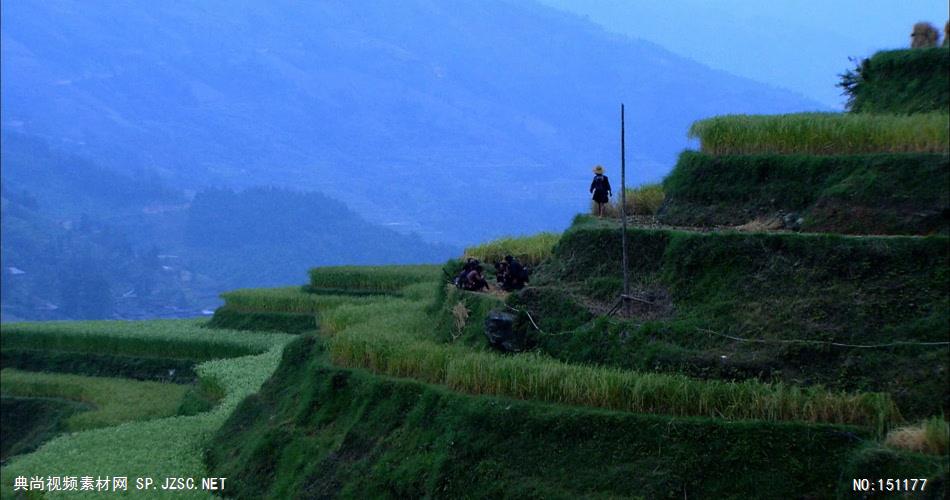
[{"x": 81, "y": 241}]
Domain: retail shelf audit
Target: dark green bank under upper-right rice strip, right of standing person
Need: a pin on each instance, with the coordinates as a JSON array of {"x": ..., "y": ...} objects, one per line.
[{"x": 867, "y": 194}]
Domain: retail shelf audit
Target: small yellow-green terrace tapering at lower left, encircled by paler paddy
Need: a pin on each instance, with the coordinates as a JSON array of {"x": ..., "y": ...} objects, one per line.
[{"x": 114, "y": 400}]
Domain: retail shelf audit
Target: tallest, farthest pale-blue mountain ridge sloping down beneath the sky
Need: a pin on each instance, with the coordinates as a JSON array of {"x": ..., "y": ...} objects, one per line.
[{"x": 458, "y": 120}]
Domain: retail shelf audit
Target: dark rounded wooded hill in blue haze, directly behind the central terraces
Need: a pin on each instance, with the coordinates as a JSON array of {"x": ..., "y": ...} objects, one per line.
[{"x": 268, "y": 237}]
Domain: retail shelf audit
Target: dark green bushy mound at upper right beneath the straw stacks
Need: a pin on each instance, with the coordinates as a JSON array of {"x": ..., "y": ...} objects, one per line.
[{"x": 900, "y": 81}]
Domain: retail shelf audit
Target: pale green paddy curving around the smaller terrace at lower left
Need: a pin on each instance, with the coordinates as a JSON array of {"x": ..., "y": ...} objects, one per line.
[{"x": 171, "y": 446}]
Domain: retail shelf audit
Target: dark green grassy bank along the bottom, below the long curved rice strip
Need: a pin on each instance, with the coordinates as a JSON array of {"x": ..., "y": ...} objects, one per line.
[{"x": 346, "y": 433}]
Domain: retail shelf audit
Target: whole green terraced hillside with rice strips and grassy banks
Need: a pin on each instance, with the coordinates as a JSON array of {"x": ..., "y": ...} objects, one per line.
[{"x": 785, "y": 336}]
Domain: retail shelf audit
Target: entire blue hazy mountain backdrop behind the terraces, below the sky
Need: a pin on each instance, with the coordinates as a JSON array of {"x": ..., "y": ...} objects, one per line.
[{"x": 155, "y": 154}]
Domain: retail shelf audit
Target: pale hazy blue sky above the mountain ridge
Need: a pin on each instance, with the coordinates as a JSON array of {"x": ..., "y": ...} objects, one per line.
[{"x": 799, "y": 45}]
